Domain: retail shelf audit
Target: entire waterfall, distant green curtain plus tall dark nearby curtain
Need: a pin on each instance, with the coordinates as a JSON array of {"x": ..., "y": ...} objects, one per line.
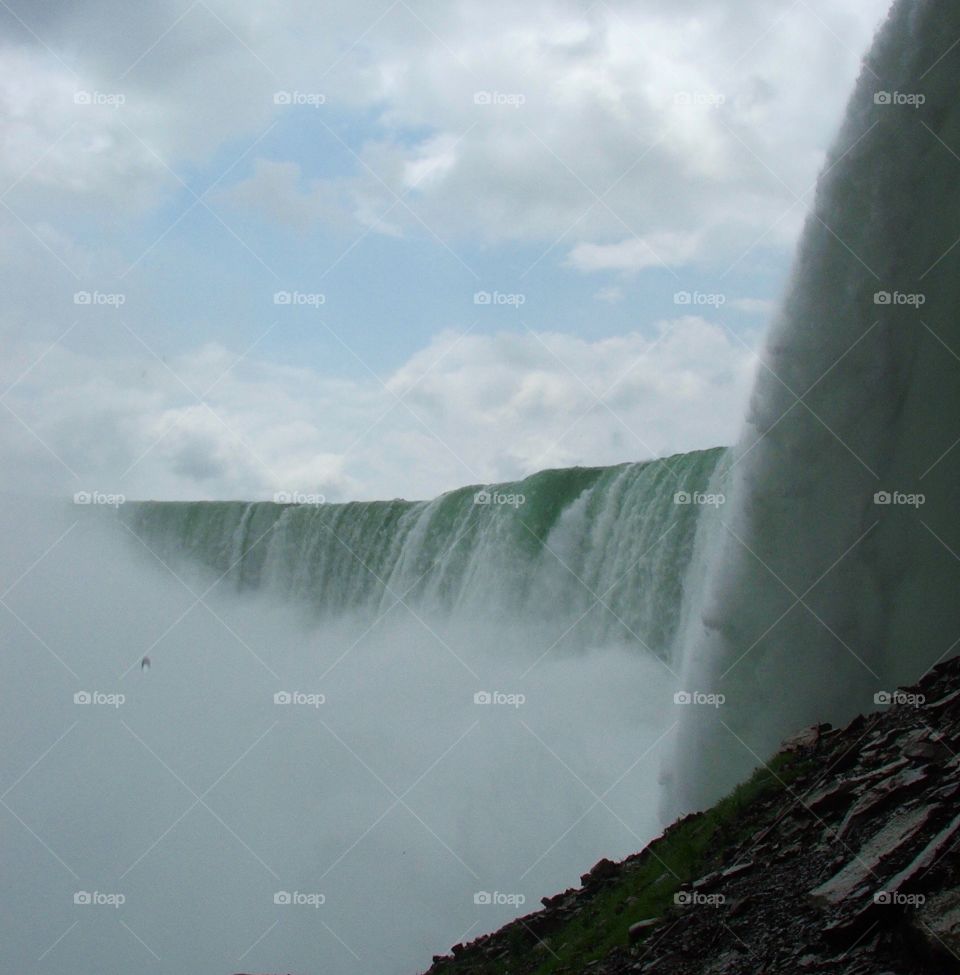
[{"x": 808, "y": 593}]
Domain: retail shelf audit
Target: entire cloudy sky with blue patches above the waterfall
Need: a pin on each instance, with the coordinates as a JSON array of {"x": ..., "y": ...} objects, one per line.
[{"x": 384, "y": 249}]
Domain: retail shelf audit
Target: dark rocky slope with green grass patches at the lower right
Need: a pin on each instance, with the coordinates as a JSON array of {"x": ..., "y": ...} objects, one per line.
[{"x": 848, "y": 866}]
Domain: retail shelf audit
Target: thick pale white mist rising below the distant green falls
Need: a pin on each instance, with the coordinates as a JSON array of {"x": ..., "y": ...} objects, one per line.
[{"x": 184, "y": 800}]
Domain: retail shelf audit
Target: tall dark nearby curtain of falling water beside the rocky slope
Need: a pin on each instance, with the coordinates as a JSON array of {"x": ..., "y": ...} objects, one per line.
[{"x": 836, "y": 571}]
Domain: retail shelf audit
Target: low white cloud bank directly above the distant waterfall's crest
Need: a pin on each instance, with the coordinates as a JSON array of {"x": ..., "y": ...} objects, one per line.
[{"x": 466, "y": 408}]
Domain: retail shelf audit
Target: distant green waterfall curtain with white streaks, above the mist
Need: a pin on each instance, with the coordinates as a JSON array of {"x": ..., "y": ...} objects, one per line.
[{"x": 589, "y": 556}]
